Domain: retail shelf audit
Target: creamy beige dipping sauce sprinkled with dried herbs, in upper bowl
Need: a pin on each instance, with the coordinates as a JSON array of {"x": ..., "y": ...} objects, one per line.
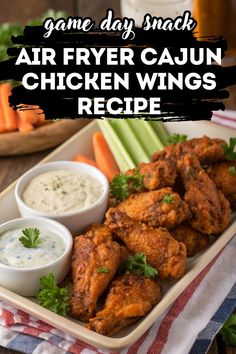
[{"x": 60, "y": 191}]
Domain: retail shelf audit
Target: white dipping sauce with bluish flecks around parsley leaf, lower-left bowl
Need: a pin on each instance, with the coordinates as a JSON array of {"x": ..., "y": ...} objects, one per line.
[{"x": 14, "y": 254}]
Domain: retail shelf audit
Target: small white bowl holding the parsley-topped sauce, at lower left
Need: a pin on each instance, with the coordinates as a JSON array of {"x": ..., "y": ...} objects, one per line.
[{"x": 25, "y": 281}]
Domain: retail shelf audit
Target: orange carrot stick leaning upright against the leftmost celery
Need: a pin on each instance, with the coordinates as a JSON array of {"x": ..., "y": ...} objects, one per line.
[{"x": 103, "y": 156}]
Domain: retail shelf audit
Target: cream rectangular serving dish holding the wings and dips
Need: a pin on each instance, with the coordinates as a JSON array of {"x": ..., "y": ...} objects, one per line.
[{"x": 82, "y": 143}]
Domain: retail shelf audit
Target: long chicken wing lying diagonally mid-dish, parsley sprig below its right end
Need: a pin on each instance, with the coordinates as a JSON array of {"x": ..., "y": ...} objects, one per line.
[{"x": 163, "y": 252}]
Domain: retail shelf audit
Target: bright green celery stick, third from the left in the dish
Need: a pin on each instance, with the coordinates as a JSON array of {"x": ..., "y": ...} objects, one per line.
[{"x": 146, "y": 136}]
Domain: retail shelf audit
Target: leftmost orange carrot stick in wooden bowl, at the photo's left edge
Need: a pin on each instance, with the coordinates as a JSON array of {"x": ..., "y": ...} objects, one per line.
[{"x": 9, "y": 114}]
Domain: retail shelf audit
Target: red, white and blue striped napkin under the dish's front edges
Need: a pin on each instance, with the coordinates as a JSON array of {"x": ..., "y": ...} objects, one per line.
[{"x": 188, "y": 326}]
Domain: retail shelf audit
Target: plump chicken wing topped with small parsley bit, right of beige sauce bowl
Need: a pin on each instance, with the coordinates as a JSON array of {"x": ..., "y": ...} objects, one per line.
[{"x": 156, "y": 208}]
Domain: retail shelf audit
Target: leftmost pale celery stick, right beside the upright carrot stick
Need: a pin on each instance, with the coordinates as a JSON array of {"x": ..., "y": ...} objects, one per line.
[{"x": 119, "y": 152}]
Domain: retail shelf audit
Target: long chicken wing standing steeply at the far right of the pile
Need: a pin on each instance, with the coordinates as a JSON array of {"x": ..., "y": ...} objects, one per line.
[{"x": 210, "y": 209}]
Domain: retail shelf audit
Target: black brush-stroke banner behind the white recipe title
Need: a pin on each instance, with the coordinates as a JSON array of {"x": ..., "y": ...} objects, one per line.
[{"x": 175, "y": 105}]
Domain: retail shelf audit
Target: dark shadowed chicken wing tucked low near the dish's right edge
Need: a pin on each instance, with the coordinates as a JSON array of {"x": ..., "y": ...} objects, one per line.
[{"x": 194, "y": 240}]
